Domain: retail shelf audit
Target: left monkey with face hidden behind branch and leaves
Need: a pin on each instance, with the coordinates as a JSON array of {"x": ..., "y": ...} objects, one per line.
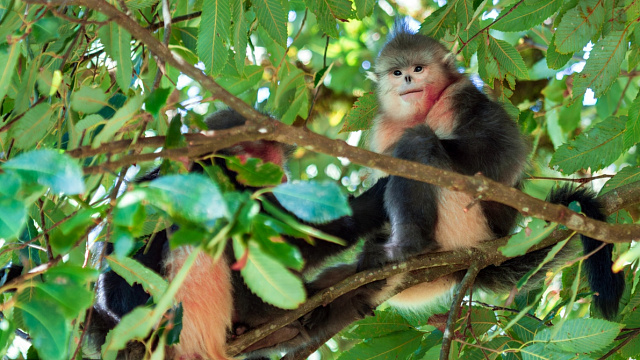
[{"x": 215, "y": 299}]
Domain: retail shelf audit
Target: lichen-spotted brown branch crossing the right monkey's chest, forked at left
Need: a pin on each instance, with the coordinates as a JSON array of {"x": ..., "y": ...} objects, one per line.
[{"x": 259, "y": 126}]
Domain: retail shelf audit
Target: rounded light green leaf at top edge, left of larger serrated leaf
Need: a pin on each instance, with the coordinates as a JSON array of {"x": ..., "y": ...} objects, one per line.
[{"x": 579, "y": 25}]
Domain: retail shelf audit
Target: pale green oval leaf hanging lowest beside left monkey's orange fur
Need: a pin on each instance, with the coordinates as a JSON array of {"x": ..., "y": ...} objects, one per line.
[{"x": 269, "y": 279}]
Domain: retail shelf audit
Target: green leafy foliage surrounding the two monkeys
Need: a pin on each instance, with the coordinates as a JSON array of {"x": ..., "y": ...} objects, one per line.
[{"x": 75, "y": 84}]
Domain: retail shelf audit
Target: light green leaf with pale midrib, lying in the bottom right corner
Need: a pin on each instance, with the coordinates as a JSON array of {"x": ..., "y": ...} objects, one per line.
[{"x": 580, "y": 335}]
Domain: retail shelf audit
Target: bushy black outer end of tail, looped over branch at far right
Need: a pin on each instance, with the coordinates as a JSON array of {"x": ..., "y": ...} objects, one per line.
[{"x": 602, "y": 279}]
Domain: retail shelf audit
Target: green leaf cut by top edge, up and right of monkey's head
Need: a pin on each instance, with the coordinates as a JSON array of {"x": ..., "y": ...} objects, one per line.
[{"x": 527, "y": 15}]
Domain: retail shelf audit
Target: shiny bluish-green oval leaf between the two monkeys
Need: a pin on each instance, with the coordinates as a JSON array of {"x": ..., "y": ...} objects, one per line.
[{"x": 312, "y": 201}]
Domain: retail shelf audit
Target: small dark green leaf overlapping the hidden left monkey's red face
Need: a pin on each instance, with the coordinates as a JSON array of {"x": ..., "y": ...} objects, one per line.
[{"x": 255, "y": 172}]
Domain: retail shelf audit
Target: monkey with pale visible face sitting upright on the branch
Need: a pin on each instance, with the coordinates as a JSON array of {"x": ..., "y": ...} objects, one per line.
[{"x": 432, "y": 114}]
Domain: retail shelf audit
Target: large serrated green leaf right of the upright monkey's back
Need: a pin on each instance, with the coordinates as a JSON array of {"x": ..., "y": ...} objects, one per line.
[{"x": 595, "y": 149}]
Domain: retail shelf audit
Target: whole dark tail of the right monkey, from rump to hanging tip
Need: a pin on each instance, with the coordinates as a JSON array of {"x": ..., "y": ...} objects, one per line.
[{"x": 608, "y": 285}]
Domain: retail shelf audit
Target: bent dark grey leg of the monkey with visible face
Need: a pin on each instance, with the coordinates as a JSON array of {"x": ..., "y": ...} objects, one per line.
[{"x": 413, "y": 205}]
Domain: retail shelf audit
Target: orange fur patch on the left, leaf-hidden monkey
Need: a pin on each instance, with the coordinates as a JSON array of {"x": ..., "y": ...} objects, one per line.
[{"x": 206, "y": 297}]
